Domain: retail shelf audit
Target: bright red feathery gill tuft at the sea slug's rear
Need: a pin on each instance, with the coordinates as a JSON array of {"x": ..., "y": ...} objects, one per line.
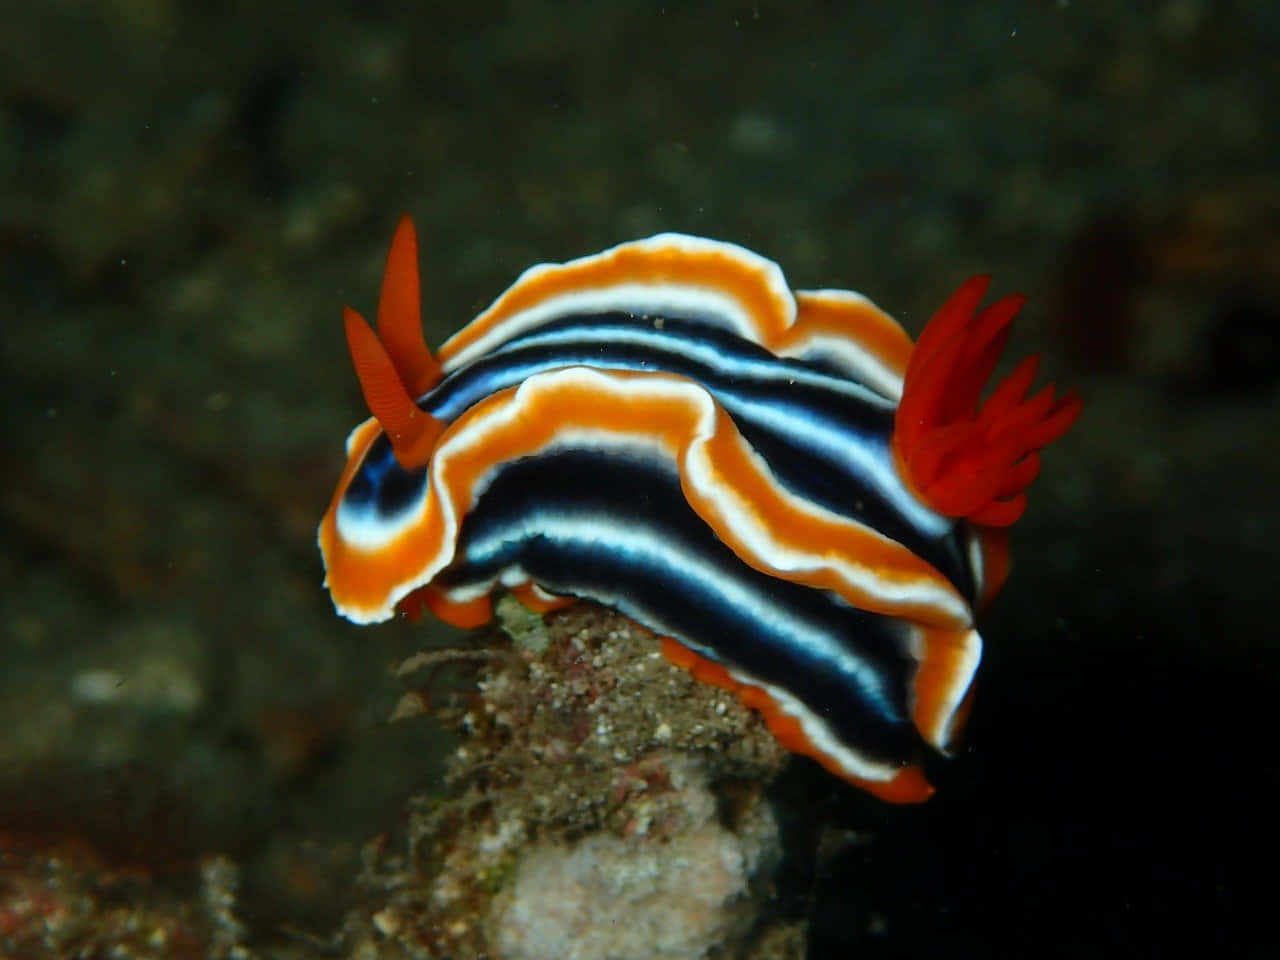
[{"x": 964, "y": 458}]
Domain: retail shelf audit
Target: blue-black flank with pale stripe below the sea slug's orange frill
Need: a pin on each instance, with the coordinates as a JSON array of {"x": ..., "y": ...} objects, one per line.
[{"x": 618, "y": 529}]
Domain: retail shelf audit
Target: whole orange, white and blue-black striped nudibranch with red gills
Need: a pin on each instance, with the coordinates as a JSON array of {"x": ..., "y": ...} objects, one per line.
[{"x": 804, "y": 505}]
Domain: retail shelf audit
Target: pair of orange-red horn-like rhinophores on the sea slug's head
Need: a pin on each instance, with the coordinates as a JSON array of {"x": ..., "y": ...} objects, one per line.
[{"x": 396, "y": 368}]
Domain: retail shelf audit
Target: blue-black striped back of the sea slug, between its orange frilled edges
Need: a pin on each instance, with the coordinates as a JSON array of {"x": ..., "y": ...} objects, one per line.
[{"x": 817, "y": 432}]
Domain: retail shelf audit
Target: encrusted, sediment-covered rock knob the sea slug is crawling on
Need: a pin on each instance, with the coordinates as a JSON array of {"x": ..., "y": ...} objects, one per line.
[{"x": 602, "y": 806}]
